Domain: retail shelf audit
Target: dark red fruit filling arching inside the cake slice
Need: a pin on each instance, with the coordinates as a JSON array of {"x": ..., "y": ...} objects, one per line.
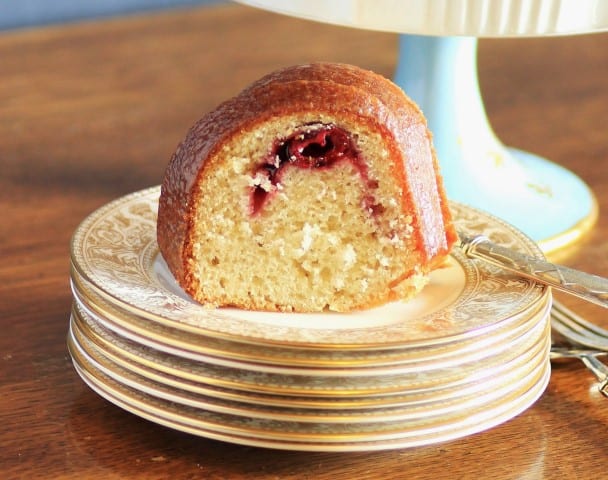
[{"x": 314, "y": 146}]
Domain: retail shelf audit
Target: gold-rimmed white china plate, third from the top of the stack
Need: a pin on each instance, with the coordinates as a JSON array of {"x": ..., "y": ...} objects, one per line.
[{"x": 503, "y": 345}]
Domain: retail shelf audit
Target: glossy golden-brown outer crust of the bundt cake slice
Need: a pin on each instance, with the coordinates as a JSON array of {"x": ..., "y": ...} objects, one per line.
[{"x": 337, "y": 89}]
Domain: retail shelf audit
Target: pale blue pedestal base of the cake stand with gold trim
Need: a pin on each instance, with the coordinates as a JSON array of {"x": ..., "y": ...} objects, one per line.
[{"x": 546, "y": 201}]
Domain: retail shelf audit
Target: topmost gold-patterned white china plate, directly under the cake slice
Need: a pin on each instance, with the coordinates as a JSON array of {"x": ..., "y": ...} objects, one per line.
[{"x": 115, "y": 252}]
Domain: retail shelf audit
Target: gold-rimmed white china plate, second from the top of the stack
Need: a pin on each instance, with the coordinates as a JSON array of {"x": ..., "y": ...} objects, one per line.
[{"x": 190, "y": 345}]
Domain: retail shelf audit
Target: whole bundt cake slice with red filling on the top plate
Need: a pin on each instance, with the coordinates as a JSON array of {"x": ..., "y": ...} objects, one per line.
[{"x": 316, "y": 188}]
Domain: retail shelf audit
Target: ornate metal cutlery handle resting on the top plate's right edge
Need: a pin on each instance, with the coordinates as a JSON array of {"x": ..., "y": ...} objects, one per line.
[{"x": 589, "y": 287}]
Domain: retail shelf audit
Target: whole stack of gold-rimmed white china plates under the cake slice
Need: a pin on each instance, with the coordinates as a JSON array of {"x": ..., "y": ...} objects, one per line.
[{"x": 469, "y": 352}]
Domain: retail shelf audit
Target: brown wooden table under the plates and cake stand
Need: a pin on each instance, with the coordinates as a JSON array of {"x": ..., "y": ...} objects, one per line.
[{"x": 92, "y": 111}]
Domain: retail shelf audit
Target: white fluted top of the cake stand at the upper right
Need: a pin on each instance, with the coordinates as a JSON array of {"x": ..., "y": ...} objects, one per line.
[{"x": 479, "y": 18}]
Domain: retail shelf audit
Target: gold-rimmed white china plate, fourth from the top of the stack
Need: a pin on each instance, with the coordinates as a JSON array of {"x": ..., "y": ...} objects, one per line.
[{"x": 414, "y": 386}]
